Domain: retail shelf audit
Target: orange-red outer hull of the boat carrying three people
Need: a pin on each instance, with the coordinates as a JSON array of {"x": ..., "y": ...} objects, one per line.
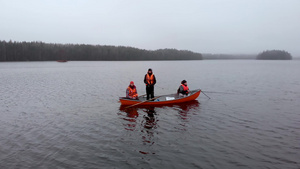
[{"x": 193, "y": 96}]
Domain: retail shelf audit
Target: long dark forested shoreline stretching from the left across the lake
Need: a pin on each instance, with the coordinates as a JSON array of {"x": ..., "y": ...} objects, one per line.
[{"x": 39, "y": 51}]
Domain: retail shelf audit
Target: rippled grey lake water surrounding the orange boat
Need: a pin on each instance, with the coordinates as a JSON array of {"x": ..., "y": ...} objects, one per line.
[{"x": 67, "y": 115}]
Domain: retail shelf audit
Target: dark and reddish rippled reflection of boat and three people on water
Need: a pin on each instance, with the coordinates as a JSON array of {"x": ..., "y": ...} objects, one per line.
[{"x": 147, "y": 125}]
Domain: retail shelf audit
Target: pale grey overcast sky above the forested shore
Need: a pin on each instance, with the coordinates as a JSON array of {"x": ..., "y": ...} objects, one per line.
[{"x": 205, "y": 26}]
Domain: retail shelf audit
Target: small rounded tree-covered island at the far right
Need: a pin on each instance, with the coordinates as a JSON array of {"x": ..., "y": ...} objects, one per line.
[{"x": 274, "y": 55}]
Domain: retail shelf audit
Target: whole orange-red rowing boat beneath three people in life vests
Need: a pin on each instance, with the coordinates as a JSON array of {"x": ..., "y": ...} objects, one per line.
[{"x": 161, "y": 100}]
